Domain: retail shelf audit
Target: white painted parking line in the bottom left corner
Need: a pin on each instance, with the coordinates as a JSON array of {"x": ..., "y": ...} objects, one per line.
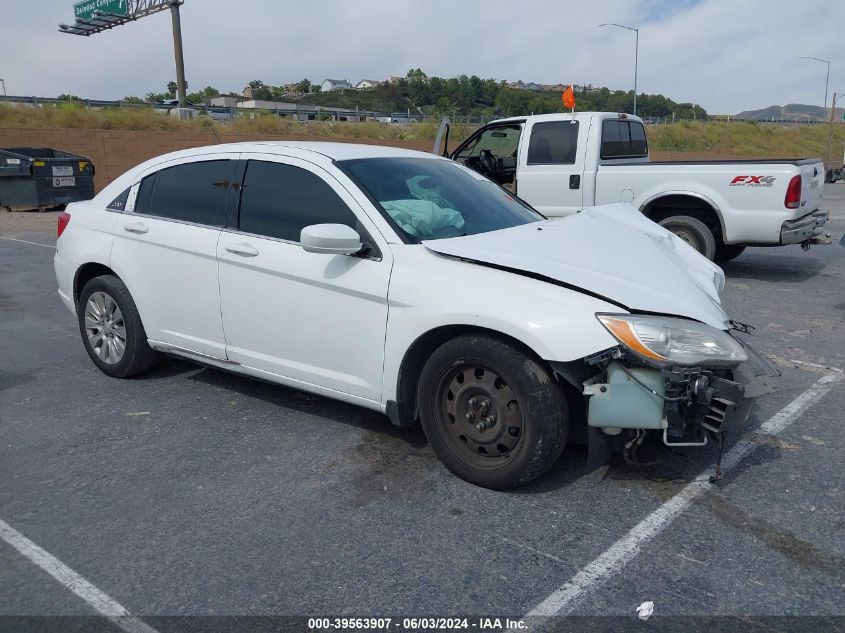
[{"x": 102, "y": 603}]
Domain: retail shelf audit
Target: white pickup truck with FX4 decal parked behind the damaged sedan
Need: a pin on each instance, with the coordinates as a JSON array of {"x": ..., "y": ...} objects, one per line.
[{"x": 562, "y": 163}]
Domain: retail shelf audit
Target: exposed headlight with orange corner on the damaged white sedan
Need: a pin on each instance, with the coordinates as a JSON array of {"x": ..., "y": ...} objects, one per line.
[{"x": 667, "y": 340}]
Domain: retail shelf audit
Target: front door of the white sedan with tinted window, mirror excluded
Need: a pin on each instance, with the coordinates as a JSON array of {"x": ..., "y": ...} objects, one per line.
[{"x": 313, "y": 319}]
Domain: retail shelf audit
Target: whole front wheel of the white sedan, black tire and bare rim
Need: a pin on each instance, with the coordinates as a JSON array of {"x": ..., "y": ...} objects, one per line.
[{"x": 527, "y": 433}]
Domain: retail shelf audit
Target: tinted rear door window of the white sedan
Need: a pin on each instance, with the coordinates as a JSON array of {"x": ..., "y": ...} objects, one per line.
[{"x": 192, "y": 192}]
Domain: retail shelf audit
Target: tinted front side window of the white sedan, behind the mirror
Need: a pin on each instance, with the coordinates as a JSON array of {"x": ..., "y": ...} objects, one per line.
[{"x": 280, "y": 200}]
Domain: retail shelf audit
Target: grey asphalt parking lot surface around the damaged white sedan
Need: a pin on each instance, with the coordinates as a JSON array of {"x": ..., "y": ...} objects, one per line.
[{"x": 189, "y": 491}]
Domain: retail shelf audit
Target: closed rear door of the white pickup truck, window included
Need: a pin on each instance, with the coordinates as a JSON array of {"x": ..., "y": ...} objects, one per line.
[{"x": 551, "y": 166}]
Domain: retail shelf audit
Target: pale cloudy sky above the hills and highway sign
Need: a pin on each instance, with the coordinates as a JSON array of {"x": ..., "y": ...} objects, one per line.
[{"x": 726, "y": 55}]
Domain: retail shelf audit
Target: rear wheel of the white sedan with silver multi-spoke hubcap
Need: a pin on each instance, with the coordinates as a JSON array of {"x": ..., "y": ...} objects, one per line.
[{"x": 111, "y": 328}]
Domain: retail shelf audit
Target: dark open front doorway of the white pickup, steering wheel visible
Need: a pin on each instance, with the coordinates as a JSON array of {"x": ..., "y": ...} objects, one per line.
[{"x": 492, "y": 152}]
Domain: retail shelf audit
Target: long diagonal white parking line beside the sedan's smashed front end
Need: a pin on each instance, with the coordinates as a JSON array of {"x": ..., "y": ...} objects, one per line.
[{"x": 626, "y": 549}]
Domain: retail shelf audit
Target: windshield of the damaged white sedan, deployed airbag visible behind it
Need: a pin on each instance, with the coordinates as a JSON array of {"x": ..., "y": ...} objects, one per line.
[{"x": 431, "y": 199}]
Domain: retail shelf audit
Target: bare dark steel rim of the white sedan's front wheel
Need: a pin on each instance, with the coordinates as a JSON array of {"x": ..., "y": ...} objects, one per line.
[{"x": 481, "y": 415}]
